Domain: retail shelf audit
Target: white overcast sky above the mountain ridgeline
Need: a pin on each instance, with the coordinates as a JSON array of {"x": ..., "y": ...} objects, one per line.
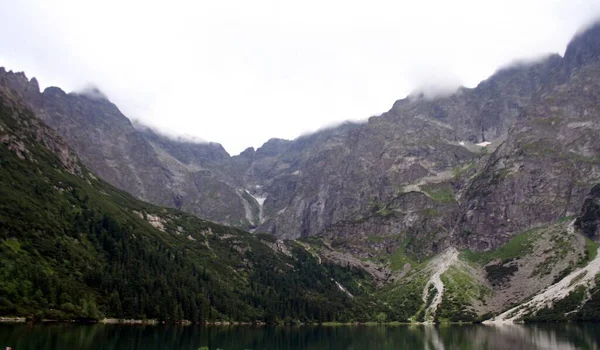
[{"x": 241, "y": 72}]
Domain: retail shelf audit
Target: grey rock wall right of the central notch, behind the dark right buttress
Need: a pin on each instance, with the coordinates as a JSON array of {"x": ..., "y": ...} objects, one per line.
[{"x": 337, "y": 174}]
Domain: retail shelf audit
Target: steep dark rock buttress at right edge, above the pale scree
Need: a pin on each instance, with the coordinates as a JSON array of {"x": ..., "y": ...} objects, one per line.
[{"x": 544, "y": 169}]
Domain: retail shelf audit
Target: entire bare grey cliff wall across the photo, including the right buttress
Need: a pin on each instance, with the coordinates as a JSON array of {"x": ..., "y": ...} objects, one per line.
[{"x": 472, "y": 169}]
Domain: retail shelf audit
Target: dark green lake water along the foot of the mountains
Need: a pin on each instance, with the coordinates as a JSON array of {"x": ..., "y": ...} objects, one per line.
[{"x": 513, "y": 337}]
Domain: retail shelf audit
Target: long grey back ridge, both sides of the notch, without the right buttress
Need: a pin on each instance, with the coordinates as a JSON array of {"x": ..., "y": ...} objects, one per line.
[{"x": 301, "y": 180}]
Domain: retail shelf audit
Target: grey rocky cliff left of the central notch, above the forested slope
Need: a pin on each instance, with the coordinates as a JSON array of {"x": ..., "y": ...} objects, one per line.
[{"x": 151, "y": 167}]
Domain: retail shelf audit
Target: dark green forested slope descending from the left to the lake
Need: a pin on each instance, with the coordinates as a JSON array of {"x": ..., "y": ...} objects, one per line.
[{"x": 74, "y": 247}]
